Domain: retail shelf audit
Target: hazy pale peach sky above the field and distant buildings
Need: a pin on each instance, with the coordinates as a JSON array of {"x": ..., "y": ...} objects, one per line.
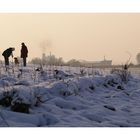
[{"x": 80, "y": 36}]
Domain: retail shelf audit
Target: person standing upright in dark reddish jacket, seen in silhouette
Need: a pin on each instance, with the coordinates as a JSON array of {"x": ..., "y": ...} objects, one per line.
[{"x": 24, "y": 53}]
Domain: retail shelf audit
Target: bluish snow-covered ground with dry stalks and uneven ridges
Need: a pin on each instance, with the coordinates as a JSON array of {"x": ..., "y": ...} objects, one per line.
[{"x": 68, "y": 98}]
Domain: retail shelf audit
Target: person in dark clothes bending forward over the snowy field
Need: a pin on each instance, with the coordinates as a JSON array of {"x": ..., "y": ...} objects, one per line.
[{"x": 7, "y": 53}]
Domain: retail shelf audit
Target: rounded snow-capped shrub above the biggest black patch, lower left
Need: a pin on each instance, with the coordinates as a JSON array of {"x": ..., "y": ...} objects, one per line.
[{"x": 25, "y": 98}]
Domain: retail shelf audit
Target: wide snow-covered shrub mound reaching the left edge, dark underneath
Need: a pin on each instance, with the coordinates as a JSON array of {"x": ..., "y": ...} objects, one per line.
[{"x": 20, "y": 99}]
